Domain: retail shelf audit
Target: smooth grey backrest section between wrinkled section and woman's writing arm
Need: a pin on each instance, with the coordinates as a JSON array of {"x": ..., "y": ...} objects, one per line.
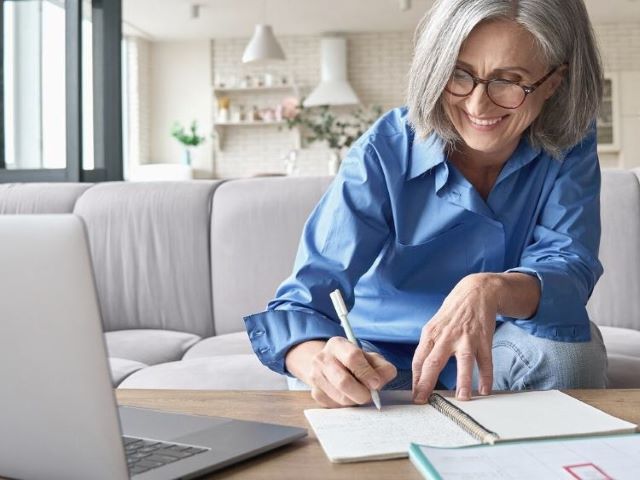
[{"x": 255, "y": 228}]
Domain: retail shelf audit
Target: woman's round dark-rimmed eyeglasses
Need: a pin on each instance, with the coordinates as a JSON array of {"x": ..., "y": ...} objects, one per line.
[{"x": 504, "y": 93}]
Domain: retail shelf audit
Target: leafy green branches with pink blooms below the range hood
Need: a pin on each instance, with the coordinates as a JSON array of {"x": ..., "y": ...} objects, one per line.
[{"x": 321, "y": 124}]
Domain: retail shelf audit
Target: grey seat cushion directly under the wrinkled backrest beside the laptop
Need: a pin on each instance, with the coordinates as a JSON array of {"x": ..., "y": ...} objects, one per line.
[{"x": 149, "y": 346}]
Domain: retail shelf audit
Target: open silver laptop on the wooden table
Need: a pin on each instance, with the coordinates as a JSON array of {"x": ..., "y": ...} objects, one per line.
[{"x": 58, "y": 413}]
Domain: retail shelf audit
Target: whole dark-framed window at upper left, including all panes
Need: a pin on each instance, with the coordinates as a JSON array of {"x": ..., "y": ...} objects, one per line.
[{"x": 59, "y": 83}]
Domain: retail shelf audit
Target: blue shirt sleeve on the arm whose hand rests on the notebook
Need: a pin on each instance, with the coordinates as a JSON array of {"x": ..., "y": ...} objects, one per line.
[{"x": 563, "y": 254}]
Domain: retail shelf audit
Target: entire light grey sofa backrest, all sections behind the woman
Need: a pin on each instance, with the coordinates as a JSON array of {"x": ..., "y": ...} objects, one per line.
[{"x": 165, "y": 258}]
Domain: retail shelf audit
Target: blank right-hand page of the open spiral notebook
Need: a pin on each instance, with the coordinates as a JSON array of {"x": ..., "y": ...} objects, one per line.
[{"x": 540, "y": 415}]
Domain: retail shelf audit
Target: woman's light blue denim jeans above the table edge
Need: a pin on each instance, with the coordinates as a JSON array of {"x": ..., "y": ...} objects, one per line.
[{"x": 522, "y": 361}]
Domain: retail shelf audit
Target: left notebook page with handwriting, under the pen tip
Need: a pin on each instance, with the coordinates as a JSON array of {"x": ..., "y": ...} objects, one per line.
[{"x": 364, "y": 433}]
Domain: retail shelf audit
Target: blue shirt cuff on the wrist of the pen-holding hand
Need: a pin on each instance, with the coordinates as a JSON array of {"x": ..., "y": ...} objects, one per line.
[{"x": 273, "y": 332}]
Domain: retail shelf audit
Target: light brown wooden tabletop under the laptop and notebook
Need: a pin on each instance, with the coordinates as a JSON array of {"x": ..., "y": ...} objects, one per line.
[{"x": 304, "y": 459}]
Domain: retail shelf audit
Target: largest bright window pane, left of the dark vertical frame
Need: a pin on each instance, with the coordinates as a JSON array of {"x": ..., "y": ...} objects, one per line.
[{"x": 34, "y": 85}]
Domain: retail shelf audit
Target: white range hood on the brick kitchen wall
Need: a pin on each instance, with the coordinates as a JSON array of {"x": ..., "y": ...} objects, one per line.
[{"x": 334, "y": 88}]
